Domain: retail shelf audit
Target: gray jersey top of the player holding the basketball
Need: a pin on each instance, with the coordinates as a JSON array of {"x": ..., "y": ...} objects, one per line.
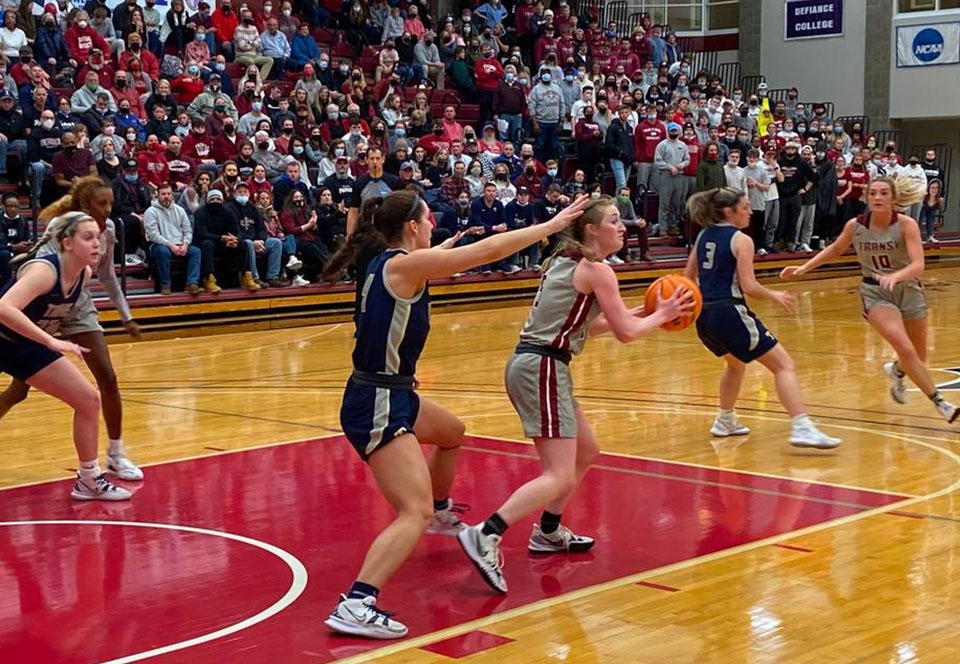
[{"x": 561, "y": 315}]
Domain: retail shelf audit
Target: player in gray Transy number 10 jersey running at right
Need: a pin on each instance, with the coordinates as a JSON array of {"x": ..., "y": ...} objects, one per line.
[{"x": 890, "y": 251}]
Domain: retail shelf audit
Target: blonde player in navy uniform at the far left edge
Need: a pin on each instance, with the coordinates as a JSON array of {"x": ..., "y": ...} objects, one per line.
[{"x": 32, "y": 307}]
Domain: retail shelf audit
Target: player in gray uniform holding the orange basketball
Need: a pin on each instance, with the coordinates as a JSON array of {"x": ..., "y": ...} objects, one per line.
[{"x": 578, "y": 296}]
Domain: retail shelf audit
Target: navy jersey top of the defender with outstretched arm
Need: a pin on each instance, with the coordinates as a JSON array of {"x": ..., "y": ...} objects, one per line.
[{"x": 391, "y": 331}]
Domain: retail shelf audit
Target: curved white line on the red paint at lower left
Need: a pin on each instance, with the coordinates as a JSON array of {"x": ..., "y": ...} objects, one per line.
[{"x": 297, "y": 585}]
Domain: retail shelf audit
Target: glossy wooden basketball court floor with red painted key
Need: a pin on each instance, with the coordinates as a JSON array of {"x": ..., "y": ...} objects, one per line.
[{"x": 709, "y": 550}]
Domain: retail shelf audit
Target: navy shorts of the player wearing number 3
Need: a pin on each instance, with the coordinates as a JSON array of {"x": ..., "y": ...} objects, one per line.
[{"x": 734, "y": 330}]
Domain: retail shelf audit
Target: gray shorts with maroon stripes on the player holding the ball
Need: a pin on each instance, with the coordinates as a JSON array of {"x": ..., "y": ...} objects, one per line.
[{"x": 541, "y": 390}]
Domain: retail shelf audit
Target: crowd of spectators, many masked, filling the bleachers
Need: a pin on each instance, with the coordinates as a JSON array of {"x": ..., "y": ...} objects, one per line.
[{"x": 240, "y": 138}]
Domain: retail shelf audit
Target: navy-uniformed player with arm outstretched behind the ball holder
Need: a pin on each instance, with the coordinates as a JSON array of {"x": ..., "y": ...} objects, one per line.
[{"x": 382, "y": 416}]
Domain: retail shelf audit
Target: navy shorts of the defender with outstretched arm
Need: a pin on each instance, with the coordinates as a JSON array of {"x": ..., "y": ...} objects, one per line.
[{"x": 373, "y": 416}]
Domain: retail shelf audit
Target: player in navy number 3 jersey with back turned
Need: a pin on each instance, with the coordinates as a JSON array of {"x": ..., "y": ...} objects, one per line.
[{"x": 722, "y": 260}]
